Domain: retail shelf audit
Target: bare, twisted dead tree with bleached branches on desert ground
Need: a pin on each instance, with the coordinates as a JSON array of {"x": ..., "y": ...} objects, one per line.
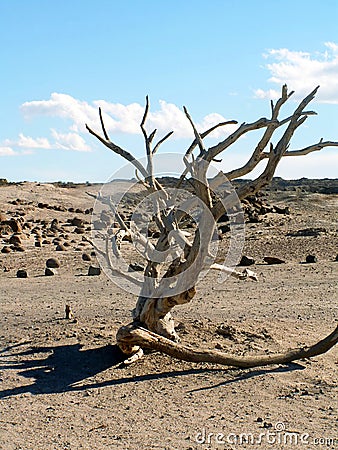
[{"x": 161, "y": 289}]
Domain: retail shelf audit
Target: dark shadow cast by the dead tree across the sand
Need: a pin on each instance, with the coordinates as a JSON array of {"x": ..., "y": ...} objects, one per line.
[{"x": 66, "y": 365}]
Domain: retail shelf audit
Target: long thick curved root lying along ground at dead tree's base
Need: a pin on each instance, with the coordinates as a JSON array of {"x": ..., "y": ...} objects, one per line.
[{"x": 136, "y": 337}]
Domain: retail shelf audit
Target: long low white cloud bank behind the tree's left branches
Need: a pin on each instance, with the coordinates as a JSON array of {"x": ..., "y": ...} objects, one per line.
[{"x": 118, "y": 118}]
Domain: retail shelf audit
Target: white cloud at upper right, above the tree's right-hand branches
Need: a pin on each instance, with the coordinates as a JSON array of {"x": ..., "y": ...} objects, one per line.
[{"x": 303, "y": 71}]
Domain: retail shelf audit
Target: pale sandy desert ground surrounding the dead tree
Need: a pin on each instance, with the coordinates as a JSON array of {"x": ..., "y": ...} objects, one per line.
[{"x": 62, "y": 386}]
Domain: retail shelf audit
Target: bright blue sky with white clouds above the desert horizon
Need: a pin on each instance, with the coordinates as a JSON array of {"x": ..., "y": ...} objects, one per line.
[{"x": 62, "y": 59}]
